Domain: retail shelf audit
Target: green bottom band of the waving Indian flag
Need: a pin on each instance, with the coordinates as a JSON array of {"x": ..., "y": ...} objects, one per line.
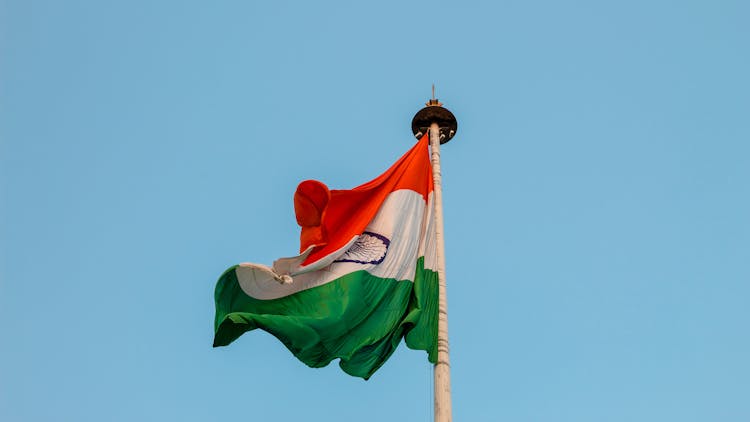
[{"x": 358, "y": 318}]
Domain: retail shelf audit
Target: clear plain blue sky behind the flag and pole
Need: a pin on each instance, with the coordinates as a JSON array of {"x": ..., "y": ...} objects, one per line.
[{"x": 597, "y": 202}]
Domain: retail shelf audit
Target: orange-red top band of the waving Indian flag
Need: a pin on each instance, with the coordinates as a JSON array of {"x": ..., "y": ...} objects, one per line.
[{"x": 329, "y": 219}]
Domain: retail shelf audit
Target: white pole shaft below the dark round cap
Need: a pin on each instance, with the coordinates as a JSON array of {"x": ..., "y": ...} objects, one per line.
[{"x": 442, "y": 377}]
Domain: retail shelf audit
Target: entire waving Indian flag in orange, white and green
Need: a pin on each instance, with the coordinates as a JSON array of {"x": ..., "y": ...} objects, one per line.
[{"x": 365, "y": 277}]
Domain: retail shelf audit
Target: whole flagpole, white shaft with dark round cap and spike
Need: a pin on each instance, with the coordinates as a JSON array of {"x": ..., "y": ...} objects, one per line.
[{"x": 442, "y": 125}]
